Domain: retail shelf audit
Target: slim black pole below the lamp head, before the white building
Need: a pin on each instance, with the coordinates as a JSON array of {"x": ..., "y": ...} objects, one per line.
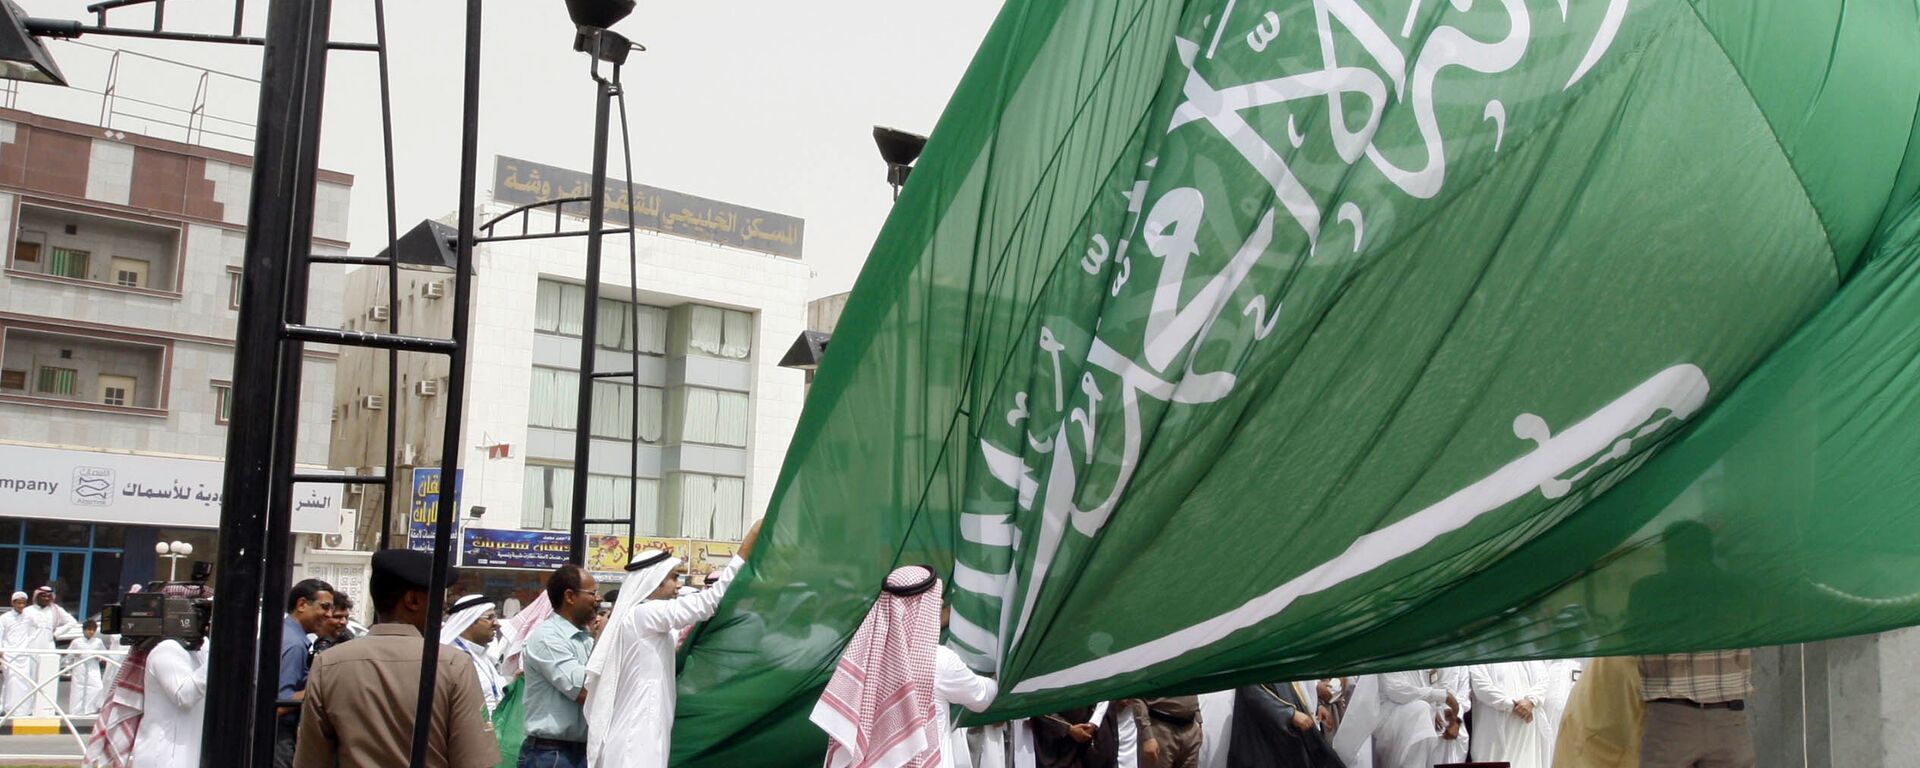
[{"x": 590, "y": 316}]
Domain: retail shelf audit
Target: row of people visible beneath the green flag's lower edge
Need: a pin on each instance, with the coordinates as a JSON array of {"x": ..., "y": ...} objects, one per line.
[{"x": 1664, "y": 711}]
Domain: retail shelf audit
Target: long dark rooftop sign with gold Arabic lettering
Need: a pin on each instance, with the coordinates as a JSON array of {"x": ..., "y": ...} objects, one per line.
[{"x": 519, "y": 181}]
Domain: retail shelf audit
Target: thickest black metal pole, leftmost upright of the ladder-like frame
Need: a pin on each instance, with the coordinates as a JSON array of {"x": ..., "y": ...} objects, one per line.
[{"x": 256, "y": 489}]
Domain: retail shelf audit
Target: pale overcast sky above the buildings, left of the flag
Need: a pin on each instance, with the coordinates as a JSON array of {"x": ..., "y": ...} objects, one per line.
[{"x": 759, "y": 103}]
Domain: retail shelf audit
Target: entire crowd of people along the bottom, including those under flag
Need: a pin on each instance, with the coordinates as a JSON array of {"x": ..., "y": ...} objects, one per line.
[{"x": 581, "y": 679}]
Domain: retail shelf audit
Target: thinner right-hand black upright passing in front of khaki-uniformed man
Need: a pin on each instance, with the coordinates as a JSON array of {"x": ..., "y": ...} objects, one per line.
[{"x": 450, "y": 444}]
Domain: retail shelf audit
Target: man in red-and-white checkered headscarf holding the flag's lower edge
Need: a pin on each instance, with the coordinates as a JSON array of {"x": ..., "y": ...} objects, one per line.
[{"x": 888, "y": 702}]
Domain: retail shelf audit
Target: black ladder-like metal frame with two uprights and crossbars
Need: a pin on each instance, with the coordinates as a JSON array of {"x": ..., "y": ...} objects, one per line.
[{"x": 274, "y": 331}]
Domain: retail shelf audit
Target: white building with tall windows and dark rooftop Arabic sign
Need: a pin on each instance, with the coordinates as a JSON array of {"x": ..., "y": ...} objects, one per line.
[{"x": 715, "y": 408}]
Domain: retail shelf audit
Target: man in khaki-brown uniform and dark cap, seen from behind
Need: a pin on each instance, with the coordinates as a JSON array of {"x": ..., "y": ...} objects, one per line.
[{"x": 362, "y": 696}]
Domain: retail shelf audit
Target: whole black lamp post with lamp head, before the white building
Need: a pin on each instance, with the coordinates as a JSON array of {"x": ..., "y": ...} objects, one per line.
[{"x": 602, "y": 45}]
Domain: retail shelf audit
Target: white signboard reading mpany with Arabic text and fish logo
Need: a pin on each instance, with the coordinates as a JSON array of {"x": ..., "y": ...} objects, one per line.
[{"x": 97, "y": 487}]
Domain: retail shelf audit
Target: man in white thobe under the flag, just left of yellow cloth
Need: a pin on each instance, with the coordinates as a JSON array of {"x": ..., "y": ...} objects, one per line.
[{"x": 1510, "y": 725}]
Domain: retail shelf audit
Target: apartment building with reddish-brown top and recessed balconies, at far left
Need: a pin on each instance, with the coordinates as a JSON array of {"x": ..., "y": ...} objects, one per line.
[{"x": 118, "y": 312}]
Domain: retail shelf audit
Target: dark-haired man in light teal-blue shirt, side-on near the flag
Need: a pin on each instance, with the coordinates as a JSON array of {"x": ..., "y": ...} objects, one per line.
[{"x": 556, "y": 663}]
